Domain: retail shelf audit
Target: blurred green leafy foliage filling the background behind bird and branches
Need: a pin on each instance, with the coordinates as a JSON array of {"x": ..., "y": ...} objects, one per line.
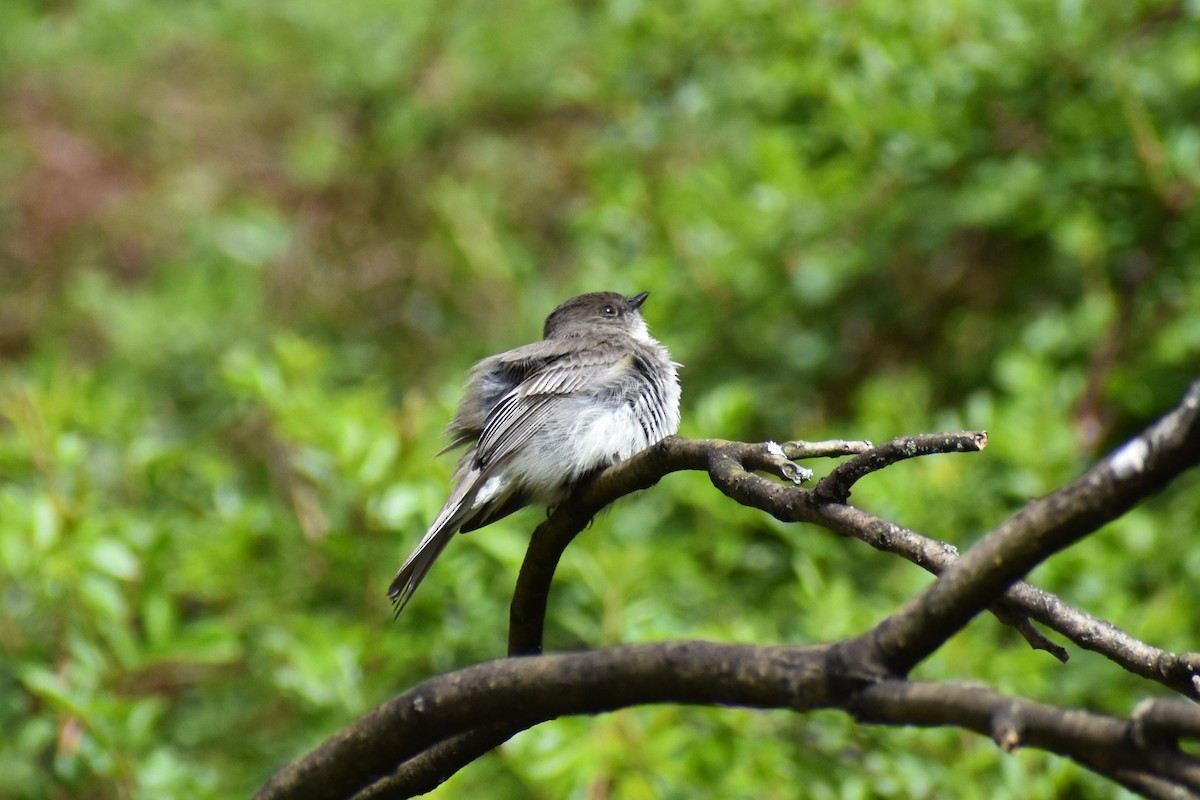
[{"x": 248, "y": 251}]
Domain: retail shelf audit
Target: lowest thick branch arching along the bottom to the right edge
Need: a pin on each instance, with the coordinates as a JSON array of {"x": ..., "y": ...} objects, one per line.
[{"x": 523, "y": 693}]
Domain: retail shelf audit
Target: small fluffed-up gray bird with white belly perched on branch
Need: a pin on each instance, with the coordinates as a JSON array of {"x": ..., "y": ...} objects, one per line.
[{"x": 539, "y": 419}]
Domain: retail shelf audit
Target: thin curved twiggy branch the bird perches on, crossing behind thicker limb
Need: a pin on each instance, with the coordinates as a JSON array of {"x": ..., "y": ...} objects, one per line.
[{"x": 729, "y": 466}]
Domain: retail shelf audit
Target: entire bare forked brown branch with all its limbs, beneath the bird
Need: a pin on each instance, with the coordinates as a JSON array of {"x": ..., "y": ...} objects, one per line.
[{"x": 451, "y": 720}]
